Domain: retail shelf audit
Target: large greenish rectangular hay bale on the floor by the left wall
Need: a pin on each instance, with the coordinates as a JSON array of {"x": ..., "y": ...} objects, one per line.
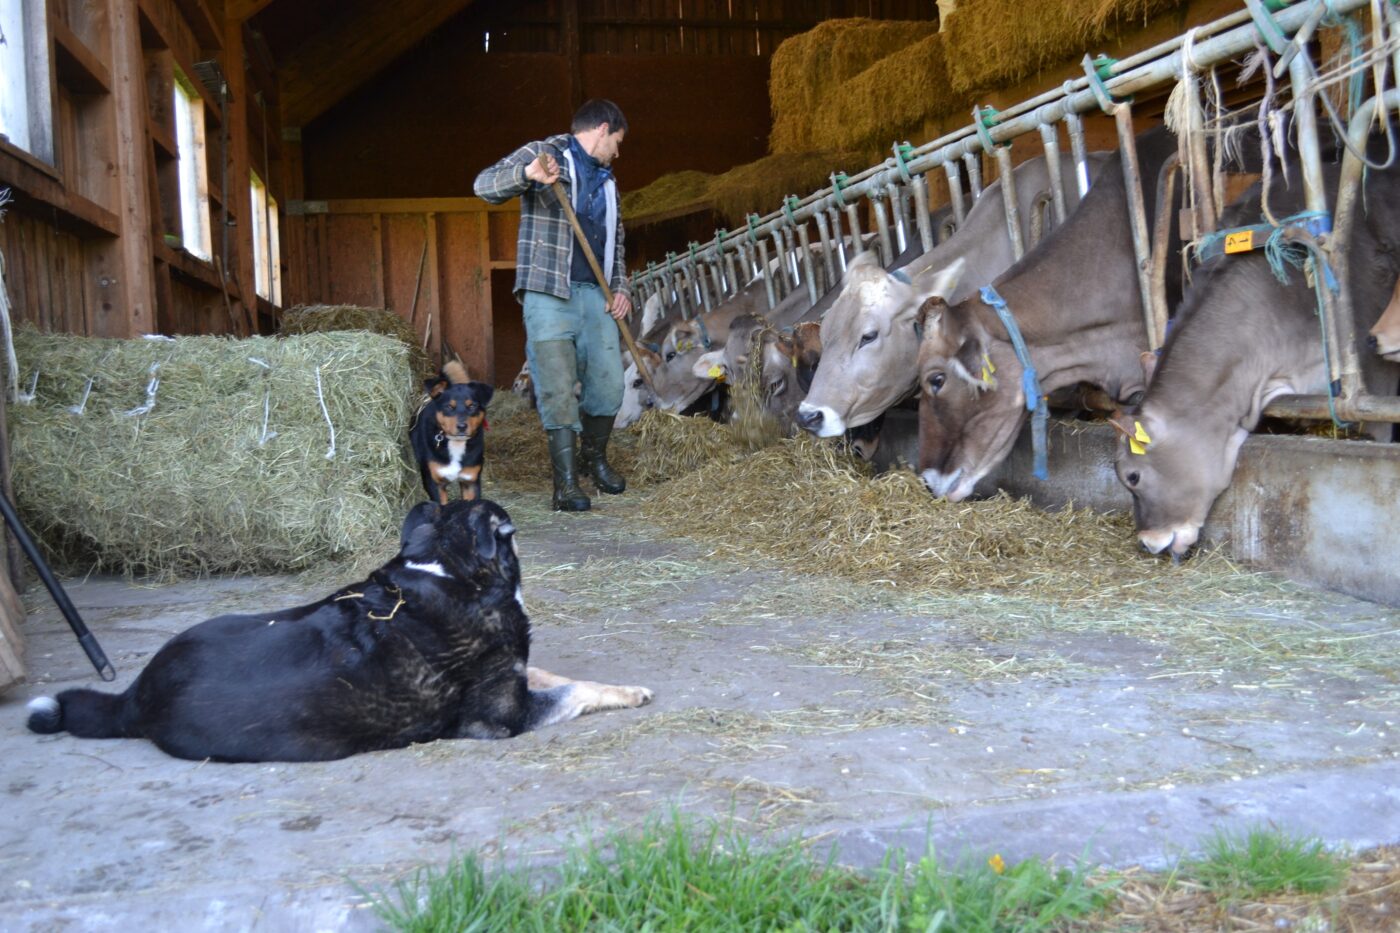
[{"x": 194, "y": 487}]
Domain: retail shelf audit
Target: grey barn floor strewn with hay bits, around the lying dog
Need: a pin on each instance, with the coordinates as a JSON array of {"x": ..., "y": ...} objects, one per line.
[{"x": 843, "y": 711}]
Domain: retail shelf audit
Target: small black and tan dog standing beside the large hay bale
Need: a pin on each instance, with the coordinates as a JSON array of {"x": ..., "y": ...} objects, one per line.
[{"x": 447, "y": 438}]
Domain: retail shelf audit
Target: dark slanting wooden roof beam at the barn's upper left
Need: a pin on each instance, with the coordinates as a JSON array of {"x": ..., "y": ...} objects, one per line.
[{"x": 355, "y": 48}]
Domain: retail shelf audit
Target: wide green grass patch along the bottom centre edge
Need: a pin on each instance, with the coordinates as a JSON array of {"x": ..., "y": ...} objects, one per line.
[{"x": 674, "y": 876}]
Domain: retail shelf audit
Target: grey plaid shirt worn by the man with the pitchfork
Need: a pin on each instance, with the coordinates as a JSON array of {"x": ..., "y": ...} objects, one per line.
[{"x": 545, "y": 247}]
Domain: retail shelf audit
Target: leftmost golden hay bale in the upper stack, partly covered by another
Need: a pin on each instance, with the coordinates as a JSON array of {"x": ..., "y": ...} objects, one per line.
[{"x": 807, "y": 69}]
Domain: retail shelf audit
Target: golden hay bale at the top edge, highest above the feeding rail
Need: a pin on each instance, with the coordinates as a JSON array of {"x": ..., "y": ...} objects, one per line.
[{"x": 997, "y": 43}]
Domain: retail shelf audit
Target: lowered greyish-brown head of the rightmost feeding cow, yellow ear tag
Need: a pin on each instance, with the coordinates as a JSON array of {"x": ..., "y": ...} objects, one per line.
[{"x": 1175, "y": 470}]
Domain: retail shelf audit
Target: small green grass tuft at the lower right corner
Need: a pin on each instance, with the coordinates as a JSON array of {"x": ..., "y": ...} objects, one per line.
[{"x": 1266, "y": 862}]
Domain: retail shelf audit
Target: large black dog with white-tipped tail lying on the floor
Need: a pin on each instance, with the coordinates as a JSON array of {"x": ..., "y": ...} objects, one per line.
[{"x": 435, "y": 645}]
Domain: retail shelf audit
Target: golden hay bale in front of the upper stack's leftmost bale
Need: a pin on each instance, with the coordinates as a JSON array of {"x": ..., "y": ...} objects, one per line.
[{"x": 890, "y": 102}]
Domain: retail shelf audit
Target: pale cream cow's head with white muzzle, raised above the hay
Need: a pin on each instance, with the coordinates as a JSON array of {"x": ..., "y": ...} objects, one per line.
[{"x": 870, "y": 344}]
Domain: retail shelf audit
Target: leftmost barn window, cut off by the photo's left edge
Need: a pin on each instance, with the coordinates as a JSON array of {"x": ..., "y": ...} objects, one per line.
[{"x": 26, "y": 113}]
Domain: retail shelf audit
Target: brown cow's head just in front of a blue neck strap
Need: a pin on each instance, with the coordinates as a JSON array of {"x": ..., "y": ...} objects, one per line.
[{"x": 971, "y": 403}]
